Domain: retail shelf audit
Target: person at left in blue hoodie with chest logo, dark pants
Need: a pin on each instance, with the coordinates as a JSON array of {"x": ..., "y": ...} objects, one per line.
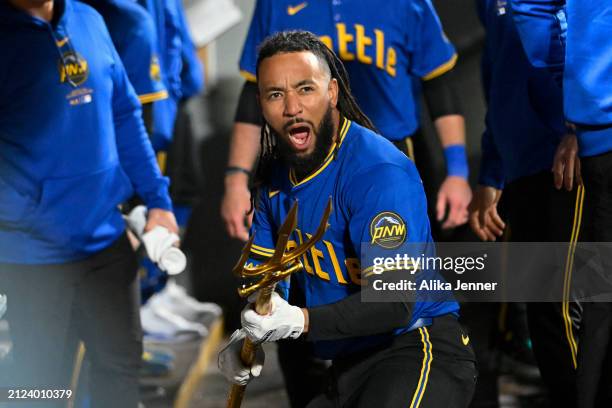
[{"x": 73, "y": 147}]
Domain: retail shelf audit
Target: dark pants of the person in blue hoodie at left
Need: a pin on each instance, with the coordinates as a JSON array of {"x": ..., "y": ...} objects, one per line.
[{"x": 52, "y": 307}]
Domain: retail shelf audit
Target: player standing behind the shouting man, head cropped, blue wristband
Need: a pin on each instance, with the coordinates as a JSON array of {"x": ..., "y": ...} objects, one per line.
[{"x": 388, "y": 48}]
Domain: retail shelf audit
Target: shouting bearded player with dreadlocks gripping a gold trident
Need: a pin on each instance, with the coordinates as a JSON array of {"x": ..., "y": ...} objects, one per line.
[{"x": 316, "y": 144}]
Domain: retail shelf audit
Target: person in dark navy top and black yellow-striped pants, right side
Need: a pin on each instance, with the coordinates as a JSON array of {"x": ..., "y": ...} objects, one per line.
[{"x": 517, "y": 156}]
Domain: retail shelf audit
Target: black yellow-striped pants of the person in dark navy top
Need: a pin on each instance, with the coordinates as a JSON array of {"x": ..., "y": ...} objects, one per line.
[{"x": 537, "y": 212}]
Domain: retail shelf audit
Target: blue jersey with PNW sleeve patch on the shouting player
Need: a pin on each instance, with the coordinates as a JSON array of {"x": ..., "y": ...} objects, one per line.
[{"x": 366, "y": 195}]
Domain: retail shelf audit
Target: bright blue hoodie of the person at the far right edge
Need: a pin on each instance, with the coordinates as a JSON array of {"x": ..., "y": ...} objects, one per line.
[{"x": 575, "y": 37}]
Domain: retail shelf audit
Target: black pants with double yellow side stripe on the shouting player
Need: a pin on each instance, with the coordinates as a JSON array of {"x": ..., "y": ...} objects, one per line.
[{"x": 429, "y": 367}]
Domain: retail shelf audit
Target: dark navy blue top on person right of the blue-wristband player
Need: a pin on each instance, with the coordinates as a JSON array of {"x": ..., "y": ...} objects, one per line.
[{"x": 524, "y": 122}]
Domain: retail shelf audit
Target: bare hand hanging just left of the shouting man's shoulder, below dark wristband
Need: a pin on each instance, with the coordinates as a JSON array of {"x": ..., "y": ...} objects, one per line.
[{"x": 235, "y": 206}]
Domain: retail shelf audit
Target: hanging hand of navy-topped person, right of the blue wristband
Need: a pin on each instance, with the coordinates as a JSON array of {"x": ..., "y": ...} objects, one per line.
[{"x": 484, "y": 219}]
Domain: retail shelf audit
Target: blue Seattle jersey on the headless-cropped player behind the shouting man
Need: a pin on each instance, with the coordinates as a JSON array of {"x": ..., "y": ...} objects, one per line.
[{"x": 384, "y": 45}]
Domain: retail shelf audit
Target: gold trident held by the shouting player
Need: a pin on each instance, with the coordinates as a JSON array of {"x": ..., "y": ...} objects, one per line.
[{"x": 282, "y": 264}]
